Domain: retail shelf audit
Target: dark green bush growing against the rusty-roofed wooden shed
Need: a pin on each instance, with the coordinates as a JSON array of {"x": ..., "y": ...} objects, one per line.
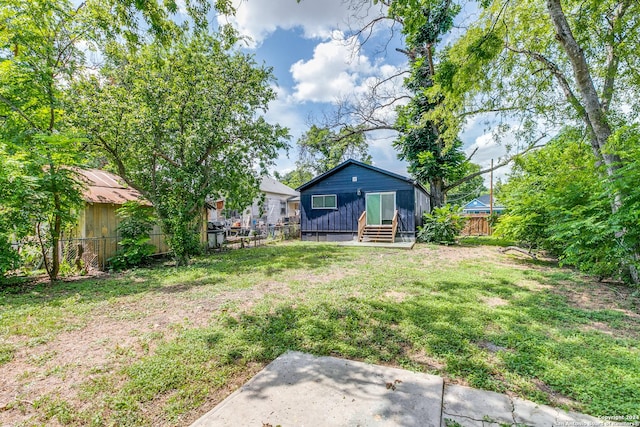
[{"x": 136, "y": 222}]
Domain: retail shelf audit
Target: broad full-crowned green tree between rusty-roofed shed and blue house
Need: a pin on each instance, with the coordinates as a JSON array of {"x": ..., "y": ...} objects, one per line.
[{"x": 180, "y": 123}]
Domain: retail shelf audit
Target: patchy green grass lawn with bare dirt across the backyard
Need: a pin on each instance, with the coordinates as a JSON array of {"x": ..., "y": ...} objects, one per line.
[{"x": 162, "y": 346}]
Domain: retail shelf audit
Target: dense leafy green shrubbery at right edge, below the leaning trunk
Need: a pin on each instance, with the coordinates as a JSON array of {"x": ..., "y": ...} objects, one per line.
[{"x": 567, "y": 211}]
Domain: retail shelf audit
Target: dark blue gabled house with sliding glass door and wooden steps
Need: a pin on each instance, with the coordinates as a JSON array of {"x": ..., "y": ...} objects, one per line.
[{"x": 356, "y": 201}]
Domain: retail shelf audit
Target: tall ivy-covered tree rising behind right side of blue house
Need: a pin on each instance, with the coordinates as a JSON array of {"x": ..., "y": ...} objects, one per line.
[{"x": 427, "y": 139}]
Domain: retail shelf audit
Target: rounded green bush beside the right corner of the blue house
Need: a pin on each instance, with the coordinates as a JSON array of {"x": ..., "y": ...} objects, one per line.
[{"x": 442, "y": 225}]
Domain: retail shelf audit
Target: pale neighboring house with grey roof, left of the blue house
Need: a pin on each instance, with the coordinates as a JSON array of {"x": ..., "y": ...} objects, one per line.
[{"x": 277, "y": 204}]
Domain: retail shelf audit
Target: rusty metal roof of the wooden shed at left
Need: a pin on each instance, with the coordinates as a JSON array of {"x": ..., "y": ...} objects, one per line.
[{"x": 105, "y": 187}]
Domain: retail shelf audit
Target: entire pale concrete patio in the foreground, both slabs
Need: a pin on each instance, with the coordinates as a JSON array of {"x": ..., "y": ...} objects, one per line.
[{"x": 299, "y": 389}]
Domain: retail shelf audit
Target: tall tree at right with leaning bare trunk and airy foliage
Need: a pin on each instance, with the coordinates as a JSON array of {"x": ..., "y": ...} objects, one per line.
[{"x": 552, "y": 63}]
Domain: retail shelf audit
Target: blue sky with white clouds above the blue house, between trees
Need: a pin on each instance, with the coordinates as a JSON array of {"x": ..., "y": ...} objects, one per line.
[{"x": 316, "y": 64}]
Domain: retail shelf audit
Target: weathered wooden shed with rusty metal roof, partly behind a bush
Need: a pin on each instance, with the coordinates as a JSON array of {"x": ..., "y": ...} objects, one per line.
[{"x": 96, "y": 229}]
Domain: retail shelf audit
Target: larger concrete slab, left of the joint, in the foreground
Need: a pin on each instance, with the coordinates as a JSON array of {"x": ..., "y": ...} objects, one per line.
[{"x": 298, "y": 389}]
